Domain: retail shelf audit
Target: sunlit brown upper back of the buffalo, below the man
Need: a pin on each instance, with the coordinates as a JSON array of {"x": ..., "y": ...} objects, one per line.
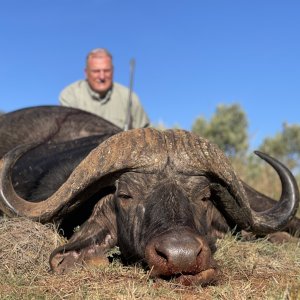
[{"x": 49, "y": 124}]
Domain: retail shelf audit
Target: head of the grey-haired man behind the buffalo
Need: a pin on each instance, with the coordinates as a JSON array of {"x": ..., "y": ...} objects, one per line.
[{"x": 99, "y": 70}]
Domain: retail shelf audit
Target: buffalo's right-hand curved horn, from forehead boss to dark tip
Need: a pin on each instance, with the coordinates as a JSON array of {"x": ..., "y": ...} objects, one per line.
[{"x": 197, "y": 156}]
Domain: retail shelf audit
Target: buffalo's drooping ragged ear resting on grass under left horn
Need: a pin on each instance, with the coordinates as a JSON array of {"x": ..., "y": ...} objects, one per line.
[{"x": 89, "y": 245}]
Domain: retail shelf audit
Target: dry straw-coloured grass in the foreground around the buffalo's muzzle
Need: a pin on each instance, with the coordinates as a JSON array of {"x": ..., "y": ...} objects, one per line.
[{"x": 248, "y": 270}]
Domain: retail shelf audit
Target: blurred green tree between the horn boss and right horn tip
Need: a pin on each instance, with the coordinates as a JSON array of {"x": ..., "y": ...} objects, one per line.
[{"x": 227, "y": 128}]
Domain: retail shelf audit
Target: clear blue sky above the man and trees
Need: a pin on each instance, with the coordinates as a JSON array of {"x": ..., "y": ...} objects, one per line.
[{"x": 191, "y": 56}]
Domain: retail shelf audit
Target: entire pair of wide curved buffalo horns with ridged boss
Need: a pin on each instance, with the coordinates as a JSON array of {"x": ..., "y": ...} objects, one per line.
[{"x": 150, "y": 151}]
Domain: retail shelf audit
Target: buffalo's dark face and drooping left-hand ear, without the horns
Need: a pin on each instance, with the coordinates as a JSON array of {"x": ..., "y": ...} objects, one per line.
[{"x": 168, "y": 226}]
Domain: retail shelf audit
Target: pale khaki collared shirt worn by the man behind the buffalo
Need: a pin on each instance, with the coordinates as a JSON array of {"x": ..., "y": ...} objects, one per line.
[{"x": 113, "y": 107}]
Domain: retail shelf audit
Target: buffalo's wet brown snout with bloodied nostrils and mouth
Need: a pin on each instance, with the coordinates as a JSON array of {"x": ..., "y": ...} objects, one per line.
[{"x": 181, "y": 254}]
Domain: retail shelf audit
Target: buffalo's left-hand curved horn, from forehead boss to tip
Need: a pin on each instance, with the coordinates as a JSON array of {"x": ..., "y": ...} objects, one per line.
[{"x": 121, "y": 152}]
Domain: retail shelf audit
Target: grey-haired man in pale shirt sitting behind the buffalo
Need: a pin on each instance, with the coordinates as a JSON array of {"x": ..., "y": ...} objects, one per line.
[{"x": 98, "y": 93}]
